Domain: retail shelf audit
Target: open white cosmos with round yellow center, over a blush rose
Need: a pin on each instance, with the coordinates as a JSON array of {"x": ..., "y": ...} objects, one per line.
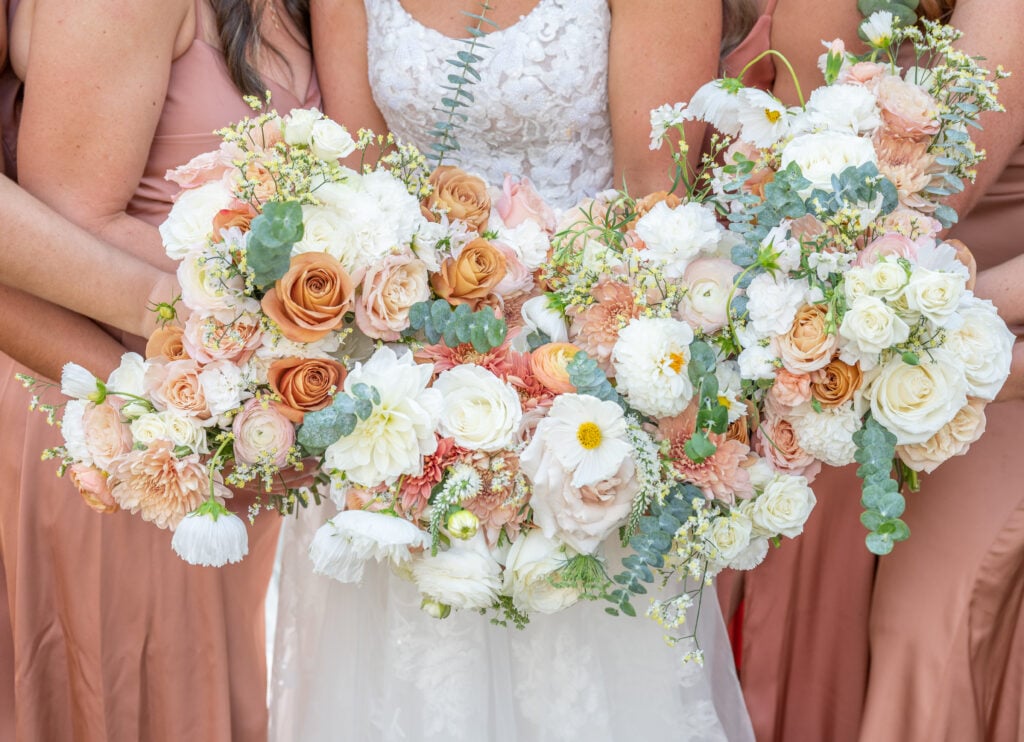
[{"x": 587, "y": 435}]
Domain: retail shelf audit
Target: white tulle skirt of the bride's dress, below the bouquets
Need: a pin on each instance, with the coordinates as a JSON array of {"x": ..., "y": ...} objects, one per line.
[{"x": 364, "y": 663}]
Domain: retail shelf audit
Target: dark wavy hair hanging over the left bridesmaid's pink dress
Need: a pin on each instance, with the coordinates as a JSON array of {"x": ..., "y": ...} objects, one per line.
[{"x": 238, "y": 26}]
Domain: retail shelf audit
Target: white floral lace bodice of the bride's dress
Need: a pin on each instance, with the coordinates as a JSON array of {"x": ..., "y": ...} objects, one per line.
[{"x": 541, "y": 109}]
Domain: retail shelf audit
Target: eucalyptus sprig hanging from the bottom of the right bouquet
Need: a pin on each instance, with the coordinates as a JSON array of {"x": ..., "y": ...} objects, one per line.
[{"x": 880, "y": 493}]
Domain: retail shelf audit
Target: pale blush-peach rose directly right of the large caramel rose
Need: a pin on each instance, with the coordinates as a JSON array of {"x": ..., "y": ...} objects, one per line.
[{"x": 391, "y": 287}]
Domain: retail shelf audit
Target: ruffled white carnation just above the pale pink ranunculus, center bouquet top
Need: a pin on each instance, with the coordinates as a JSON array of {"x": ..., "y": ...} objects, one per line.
[{"x": 675, "y": 237}]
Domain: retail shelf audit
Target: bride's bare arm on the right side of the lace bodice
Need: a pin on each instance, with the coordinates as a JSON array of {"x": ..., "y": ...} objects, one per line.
[{"x": 661, "y": 52}]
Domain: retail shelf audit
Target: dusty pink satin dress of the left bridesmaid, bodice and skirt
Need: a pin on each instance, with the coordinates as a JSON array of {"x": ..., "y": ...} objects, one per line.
[{"x": 111, "y": 636}]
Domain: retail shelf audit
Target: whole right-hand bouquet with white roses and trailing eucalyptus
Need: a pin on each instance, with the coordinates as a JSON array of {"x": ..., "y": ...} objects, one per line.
[{"x": 855, "y": 319}]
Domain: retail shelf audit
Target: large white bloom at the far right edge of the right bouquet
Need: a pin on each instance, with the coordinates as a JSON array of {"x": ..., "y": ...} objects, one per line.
[{"x": 985, "y": 345}]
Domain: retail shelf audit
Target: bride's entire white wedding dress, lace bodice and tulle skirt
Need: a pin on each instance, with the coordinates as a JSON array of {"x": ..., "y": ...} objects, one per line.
[{"x": 364, "y": 663}]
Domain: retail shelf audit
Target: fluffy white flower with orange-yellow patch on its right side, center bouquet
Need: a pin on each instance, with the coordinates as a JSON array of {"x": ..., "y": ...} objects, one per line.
[{"x": 651, "y": 359}]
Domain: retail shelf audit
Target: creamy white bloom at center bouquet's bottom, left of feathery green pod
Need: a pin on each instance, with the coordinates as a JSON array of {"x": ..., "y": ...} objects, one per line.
[{"x": 531, "y": 562}]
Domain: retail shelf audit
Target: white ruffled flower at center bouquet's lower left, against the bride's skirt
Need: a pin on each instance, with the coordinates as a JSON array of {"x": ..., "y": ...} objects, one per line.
[{"x": 344, "y": 545}]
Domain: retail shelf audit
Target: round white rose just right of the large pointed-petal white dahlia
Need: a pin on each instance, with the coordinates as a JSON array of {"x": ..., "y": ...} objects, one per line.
[{"x": 481, "y": 412}]
